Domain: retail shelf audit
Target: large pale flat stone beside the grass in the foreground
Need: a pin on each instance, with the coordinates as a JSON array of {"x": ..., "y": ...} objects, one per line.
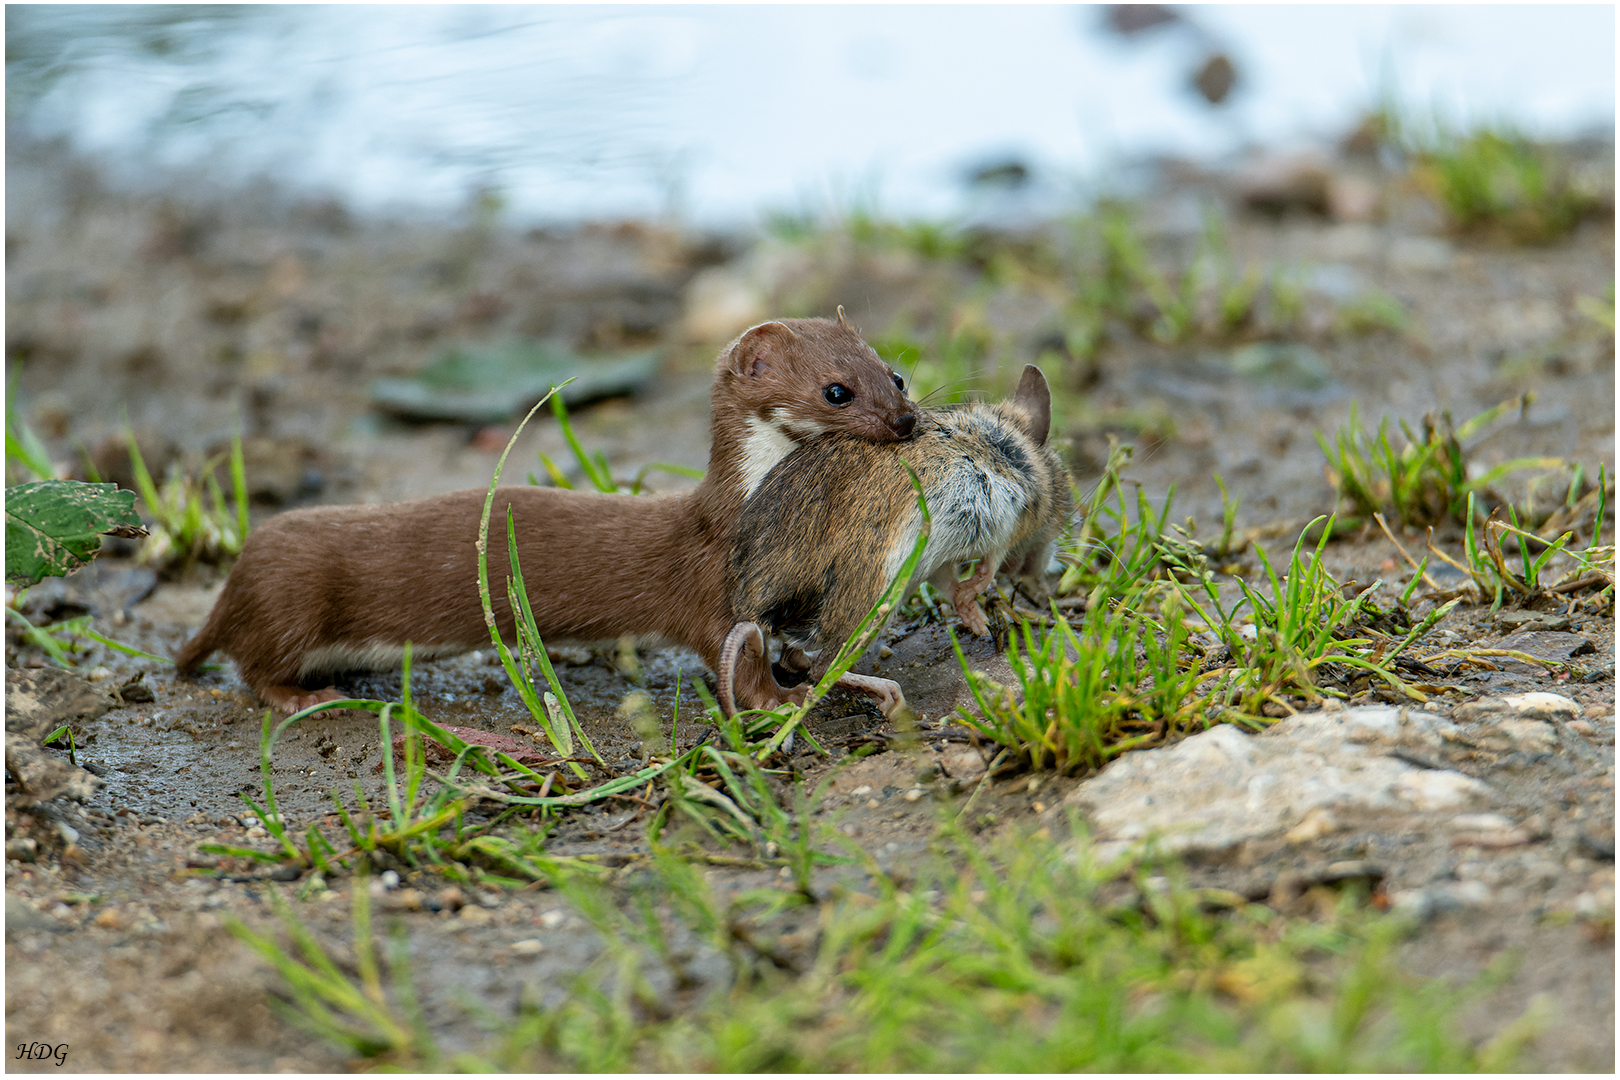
[{"x": 1224, "y": 788}]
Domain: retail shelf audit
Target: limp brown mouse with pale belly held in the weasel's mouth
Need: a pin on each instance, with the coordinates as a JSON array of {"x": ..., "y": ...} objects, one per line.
[{"x": 832, "y": 525}]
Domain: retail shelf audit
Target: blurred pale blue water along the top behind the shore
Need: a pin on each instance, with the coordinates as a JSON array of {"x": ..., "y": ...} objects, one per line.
[{"x": 717, "y": 116}]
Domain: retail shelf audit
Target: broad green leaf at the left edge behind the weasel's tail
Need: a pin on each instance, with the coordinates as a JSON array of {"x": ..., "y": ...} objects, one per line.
[{"x": 54, "y": 527}]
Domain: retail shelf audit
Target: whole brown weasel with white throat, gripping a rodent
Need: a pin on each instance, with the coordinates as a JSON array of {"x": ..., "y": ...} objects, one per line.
[{"x": 341, "y": 589}]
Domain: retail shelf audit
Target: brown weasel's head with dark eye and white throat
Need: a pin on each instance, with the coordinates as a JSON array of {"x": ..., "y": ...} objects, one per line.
[{"x": 795, "y": 380}]
